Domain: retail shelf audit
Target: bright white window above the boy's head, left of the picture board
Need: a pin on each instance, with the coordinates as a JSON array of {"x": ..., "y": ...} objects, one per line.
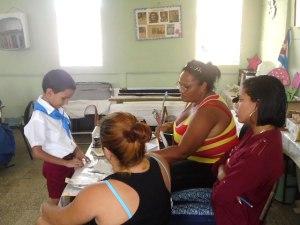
[{"x": 79, "y": 32}]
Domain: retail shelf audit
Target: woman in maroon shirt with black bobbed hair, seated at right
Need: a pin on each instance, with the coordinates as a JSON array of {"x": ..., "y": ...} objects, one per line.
[{"x": 249, "y": 171}]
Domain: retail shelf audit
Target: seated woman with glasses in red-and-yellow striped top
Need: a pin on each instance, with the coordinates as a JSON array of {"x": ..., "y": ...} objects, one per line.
[{"x": 203, "y": 132}]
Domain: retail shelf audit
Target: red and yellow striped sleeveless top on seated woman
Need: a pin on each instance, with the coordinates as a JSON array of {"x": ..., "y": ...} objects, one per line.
[{"x": 212, "y": 148}]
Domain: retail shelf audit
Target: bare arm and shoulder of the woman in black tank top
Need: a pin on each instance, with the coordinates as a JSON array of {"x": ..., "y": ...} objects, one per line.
[{"x": 93, "y": 202}]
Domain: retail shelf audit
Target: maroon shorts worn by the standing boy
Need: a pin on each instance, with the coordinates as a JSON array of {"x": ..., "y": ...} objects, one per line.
[{"x": 55, "y": 176}]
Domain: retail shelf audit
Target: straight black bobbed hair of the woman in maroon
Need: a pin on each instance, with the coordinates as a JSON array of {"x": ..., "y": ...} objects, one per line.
[{"x": 270, "y": 94}]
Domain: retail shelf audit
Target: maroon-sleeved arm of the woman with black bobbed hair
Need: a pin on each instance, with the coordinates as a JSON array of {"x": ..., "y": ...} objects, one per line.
[{"x": 245, "y": 173}]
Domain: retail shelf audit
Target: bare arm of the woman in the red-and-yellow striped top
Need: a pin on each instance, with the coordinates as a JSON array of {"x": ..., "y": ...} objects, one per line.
[{"x": 200, "y": 127}]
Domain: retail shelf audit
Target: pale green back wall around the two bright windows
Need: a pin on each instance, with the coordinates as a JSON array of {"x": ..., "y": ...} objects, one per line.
[{"x": 127, "y": 62}]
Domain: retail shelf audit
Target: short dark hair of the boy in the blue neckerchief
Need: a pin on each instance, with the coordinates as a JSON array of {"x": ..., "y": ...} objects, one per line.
[{"x": 58, "y": 80}]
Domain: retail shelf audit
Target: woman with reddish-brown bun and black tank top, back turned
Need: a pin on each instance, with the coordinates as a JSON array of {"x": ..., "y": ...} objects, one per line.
[{"x": 137, "y": 193}]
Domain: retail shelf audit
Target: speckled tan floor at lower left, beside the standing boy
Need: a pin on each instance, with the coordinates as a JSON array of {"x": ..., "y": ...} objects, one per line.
[{"x": 22, "y": 190}]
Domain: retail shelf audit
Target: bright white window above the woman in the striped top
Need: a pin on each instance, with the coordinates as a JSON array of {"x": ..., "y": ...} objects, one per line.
[{"x": 218, "y": 31}]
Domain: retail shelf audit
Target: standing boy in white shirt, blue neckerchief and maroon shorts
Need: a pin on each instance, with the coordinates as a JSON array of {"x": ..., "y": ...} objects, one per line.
[{"x": 49, "y": 134}]
